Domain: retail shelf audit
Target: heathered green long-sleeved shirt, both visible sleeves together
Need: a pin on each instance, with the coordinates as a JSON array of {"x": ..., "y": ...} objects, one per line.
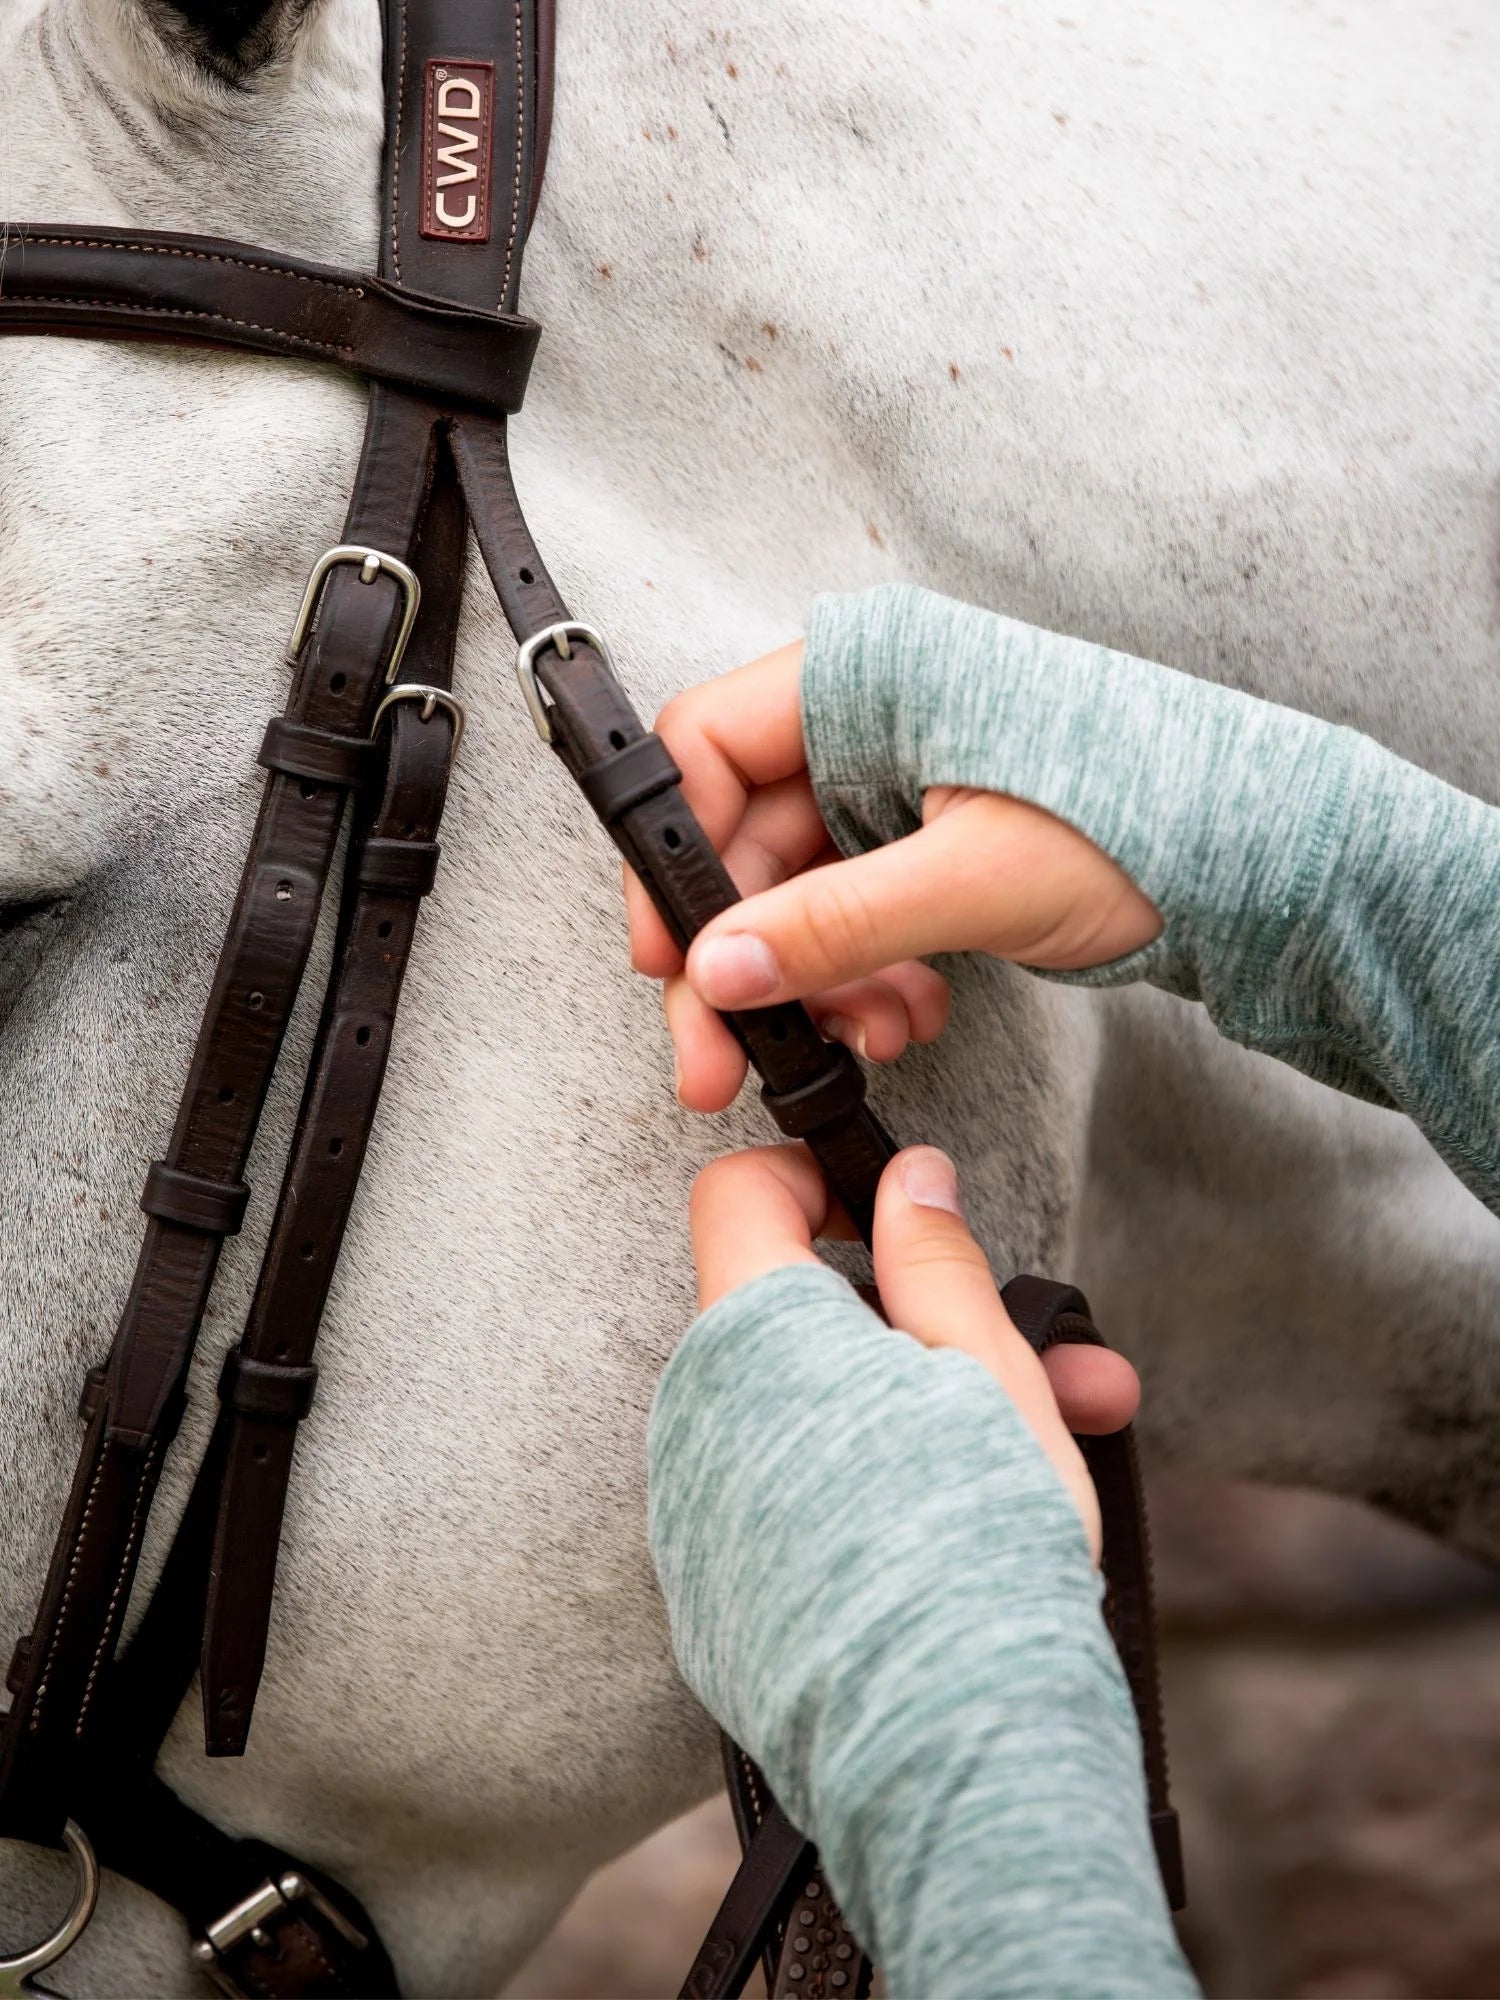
[{"x": 875, "y": 1577}]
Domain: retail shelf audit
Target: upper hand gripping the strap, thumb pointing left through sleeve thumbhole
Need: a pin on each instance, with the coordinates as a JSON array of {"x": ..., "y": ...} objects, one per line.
[{"x": 985, "y": 875}]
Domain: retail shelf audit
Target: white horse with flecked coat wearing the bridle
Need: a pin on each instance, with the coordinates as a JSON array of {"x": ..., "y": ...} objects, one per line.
[{"x": 1167, "y": 325}]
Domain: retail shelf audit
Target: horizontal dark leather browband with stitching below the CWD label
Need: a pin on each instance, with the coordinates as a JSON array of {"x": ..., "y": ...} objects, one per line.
[{"x": 205, "y": 291}]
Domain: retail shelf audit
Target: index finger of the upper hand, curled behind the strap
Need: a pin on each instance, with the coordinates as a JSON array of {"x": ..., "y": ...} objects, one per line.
[{"x": 729, "y": 737}]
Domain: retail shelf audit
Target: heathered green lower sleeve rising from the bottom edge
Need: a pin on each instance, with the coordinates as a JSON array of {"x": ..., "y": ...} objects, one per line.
[{"x": 883, "y": 1591}]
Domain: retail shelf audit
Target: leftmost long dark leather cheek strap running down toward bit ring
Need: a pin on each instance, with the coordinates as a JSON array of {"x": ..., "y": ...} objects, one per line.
[{"x": 261, "y": 965}]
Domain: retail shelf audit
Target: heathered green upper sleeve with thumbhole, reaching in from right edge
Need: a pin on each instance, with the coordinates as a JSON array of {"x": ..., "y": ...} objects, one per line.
[{"x": 1329, "y": 903}]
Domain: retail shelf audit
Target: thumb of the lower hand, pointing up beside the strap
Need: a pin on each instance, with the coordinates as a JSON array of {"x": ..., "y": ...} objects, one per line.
[{"x": 937, "y": 1285}]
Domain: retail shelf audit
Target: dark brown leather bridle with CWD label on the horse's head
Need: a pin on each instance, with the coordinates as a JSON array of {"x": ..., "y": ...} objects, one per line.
[{"x": 371, "y": 731}]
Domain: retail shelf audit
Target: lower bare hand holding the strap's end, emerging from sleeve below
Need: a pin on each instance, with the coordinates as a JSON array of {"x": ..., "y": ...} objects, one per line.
[{"x": 761, "y": 1211}]
